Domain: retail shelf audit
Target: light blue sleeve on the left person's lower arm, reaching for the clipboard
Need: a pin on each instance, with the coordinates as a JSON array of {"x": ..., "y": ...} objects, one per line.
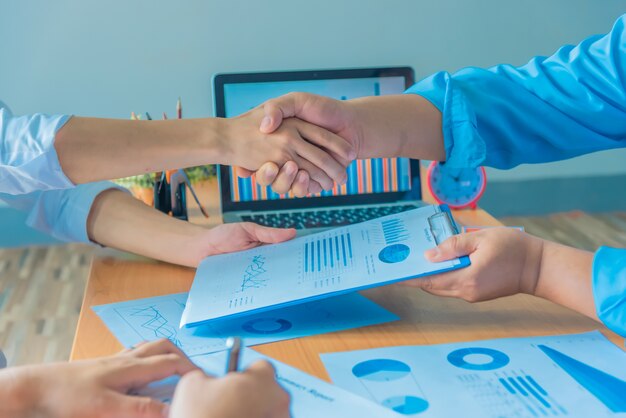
[{"x": 60, "y": 213}]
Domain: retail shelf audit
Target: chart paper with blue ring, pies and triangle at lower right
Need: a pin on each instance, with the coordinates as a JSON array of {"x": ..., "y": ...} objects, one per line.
[{"x": 579, "y": 375}]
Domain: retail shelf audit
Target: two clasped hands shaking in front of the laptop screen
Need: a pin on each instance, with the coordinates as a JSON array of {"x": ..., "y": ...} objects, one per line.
[{"x": 306, "y": 143}]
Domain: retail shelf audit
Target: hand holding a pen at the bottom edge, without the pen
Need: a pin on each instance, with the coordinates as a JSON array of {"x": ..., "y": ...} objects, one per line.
[{"x": 201, "y": 396}]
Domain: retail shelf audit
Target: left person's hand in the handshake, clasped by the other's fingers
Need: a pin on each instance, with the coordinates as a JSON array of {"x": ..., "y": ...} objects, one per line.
[{"x": 322, "y": 154}]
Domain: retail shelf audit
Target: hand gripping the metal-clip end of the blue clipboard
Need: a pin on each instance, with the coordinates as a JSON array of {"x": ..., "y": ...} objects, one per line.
[{"x": 504, "y": 262}]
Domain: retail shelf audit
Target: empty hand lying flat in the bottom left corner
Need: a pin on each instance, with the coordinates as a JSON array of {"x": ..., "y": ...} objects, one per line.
[{"x": 96, "y": 388}]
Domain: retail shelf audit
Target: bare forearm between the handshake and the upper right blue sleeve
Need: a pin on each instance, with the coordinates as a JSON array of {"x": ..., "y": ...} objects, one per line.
[{"x": 399, "y": 126}]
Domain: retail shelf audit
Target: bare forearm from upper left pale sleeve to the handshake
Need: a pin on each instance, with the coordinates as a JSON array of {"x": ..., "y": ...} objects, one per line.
[{"x": 91, "y": 149}]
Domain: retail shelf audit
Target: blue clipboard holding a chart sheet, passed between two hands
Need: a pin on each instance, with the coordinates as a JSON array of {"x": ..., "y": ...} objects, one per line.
[{"x": 341, "y": 260}]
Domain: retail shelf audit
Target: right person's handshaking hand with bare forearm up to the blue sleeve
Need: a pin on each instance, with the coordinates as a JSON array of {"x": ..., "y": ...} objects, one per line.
[{"x": 404, "y": 125}]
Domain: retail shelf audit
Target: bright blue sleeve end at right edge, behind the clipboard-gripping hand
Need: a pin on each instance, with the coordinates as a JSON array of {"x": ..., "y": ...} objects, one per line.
[{"x": 609, "y": 288}]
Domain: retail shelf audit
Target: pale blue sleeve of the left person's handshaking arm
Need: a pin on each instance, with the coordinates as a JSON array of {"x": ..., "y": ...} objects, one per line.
[{"x": 28, "y": 159}]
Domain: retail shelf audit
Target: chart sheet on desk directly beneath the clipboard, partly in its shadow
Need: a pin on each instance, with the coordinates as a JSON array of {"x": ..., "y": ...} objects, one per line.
[{"x": 149, "y": 319}]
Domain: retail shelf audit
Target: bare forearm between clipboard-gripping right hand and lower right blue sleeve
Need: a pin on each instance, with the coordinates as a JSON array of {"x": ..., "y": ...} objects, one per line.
[{"x": 565, "y": 278}]
